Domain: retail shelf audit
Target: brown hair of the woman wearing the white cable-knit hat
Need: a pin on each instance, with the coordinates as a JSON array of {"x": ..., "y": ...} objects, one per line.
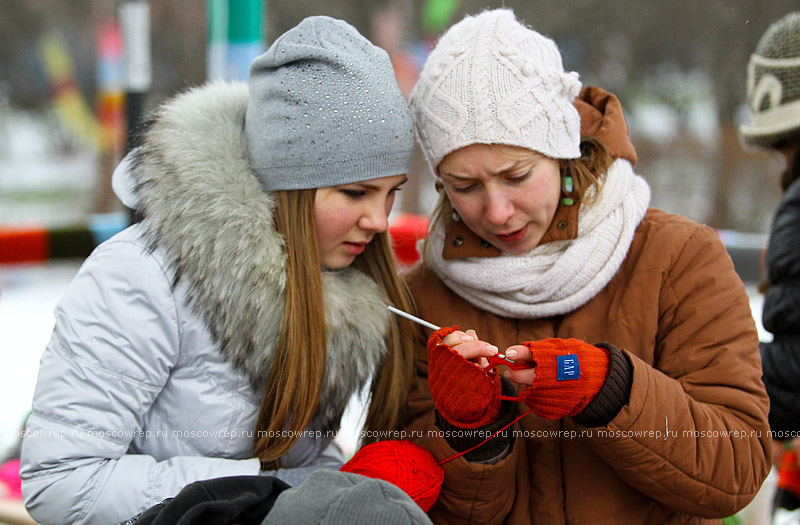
[{"x": 585, "y": 171}]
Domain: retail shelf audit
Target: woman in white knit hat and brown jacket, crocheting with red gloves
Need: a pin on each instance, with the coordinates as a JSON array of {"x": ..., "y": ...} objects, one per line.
[{"x": 636, "y": 393}]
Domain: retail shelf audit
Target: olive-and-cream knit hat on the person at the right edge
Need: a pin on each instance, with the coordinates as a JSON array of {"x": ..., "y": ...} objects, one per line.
[{"x": 773, "y": 85}]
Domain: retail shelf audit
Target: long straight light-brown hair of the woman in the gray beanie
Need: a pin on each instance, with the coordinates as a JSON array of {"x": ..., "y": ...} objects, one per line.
[{"x": 294, "y": 384}]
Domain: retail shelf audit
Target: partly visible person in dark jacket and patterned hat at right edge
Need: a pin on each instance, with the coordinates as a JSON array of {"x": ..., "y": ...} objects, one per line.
[{"x": 773, "y": 96}]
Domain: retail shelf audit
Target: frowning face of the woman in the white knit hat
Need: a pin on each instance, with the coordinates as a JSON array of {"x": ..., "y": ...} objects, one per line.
[{"x": 506, "y": 195}]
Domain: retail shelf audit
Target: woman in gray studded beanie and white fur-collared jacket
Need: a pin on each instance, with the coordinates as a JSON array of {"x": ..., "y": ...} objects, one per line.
[{"x": 225, "y": 333}]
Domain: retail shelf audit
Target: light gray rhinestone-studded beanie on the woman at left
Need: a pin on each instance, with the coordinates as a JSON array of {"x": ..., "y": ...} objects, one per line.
[{"x": 325, "y": 110}]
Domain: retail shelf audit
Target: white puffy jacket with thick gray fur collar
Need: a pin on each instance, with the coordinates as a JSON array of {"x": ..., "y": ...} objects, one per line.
[{"x": 152, "y": 377}]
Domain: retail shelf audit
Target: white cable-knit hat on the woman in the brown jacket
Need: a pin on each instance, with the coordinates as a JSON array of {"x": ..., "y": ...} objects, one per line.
[{"x": 492, "y": 80}]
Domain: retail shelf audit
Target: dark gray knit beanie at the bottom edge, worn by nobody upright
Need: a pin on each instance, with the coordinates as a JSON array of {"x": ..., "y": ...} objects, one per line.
[{"x": 331, "y": 497}]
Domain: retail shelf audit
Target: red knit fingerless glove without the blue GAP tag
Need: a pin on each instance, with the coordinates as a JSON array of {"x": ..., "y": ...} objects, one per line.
[{"x": 465, "y": 394}]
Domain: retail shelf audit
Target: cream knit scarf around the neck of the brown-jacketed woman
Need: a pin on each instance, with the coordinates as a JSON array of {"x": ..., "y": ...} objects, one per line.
[{"x": 559, "y": 276}]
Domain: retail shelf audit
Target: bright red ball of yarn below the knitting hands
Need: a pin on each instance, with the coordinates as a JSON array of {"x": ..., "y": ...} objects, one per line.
[{"x": 403, "y": 463}]
